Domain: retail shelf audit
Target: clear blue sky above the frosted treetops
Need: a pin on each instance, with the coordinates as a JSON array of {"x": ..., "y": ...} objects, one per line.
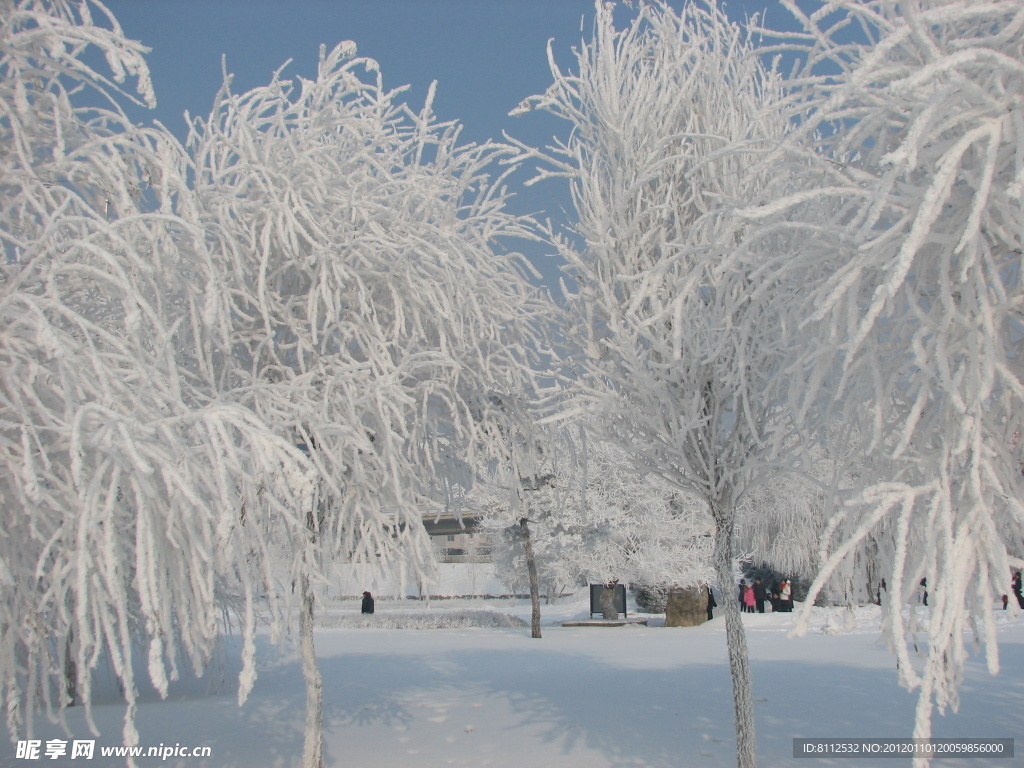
[{"x": 487, "y": 57}]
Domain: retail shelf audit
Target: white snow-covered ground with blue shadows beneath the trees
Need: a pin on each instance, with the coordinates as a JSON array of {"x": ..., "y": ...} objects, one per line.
[{"x": 579, "y": 697}]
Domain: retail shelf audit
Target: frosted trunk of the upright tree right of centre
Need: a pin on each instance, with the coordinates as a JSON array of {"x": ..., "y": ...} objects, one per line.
[{"x": 740, "y": 667}]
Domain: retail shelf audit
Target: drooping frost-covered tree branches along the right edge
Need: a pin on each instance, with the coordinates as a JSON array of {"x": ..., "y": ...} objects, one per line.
[{"x": 917, "y": 116}]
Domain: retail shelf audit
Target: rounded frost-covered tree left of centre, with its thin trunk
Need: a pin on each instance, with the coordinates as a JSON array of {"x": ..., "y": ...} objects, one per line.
[{"x": 368, "y": 308}]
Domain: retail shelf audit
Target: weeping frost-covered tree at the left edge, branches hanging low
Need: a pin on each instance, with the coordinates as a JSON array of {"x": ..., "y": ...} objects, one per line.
[{"x": 132, "y": 500}]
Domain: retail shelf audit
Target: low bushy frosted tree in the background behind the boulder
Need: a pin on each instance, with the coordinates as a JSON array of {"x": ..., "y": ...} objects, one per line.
[{"x": 596, "y": 520}]
